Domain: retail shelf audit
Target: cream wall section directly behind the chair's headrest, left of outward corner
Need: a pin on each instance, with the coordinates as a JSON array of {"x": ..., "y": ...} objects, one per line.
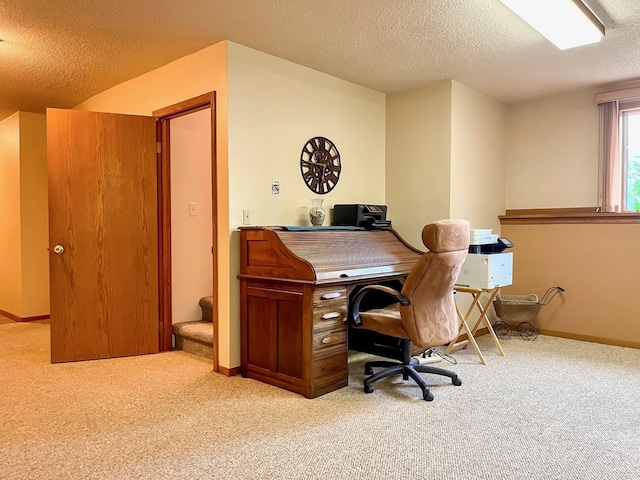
[{"x": 418, "y": 158}]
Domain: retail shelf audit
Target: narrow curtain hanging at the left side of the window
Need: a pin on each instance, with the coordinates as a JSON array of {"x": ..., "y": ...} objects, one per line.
[{"x": 610, "y": 189}]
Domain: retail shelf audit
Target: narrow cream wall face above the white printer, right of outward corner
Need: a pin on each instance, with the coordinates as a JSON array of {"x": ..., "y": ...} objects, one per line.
[{"x": 477, "y": 158}]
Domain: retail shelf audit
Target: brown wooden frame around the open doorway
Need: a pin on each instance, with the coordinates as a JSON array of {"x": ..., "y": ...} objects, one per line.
[{"x": 163, "y": 118}]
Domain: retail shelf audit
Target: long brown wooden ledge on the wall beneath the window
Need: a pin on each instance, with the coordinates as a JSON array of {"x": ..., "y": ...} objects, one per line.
[{"x": 580, "y": 215}]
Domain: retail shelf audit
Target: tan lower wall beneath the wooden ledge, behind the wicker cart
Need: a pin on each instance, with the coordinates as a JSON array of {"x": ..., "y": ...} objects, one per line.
[{"x": 594, "y": 263}]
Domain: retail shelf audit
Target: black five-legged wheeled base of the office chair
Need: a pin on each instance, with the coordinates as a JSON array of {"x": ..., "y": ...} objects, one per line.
[{"x": 412, "y": 369}]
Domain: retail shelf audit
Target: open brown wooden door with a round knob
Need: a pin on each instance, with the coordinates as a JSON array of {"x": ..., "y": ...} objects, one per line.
[{"x": 103, "y": 212}]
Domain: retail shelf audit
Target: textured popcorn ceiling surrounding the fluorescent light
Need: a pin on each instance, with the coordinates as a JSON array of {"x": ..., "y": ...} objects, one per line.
[{"x": 57, "y": 53}]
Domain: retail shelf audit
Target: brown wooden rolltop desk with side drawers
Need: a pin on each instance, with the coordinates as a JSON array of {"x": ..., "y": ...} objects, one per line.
[{"x": 295, "y": 286}]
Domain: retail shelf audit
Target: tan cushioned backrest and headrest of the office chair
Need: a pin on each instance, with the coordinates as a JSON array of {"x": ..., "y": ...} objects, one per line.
[{"x": 431, "y": 318}]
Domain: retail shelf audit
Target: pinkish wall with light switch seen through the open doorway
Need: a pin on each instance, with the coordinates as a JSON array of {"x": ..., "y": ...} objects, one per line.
[{"x": 191, "y": 232}]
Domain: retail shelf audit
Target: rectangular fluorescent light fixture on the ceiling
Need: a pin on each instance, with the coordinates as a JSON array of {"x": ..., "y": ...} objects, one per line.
[{"x": 565, "y": 23}]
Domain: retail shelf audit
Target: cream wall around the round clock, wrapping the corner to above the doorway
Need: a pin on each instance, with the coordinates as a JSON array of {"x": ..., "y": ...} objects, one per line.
[{"x": 274, "y": 107}]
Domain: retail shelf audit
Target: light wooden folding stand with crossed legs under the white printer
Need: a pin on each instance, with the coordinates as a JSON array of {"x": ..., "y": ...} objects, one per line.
[{"x": 476, "y": 294}]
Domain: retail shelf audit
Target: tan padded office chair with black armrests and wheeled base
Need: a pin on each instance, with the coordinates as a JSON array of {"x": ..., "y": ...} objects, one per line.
[{"x": 424, "y": 312}]
